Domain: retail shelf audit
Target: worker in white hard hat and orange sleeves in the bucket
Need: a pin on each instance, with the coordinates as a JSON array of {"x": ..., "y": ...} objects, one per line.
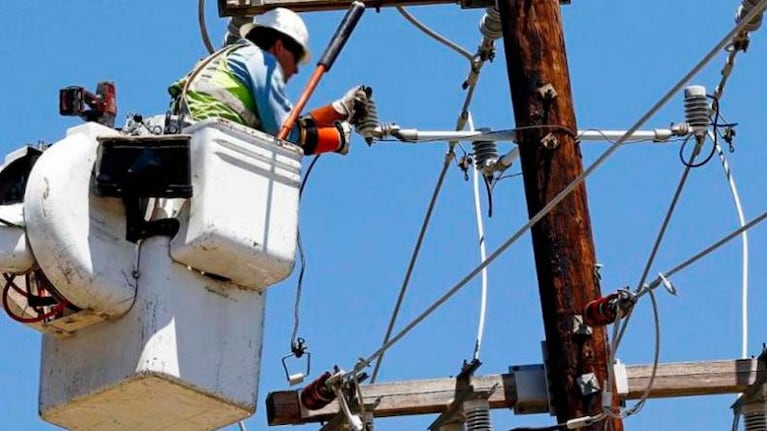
[{"x": 245, "y": 83}]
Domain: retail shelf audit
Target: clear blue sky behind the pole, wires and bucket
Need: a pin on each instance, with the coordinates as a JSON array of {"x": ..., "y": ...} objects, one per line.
[{"x": 360, "y": 213}]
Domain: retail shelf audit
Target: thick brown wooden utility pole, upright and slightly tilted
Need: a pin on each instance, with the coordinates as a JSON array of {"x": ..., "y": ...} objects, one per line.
[{"x": 562, "y": 242}]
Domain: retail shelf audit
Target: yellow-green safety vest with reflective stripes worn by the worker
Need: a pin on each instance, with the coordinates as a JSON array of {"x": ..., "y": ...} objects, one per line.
[{"x": 212, "y": 91}]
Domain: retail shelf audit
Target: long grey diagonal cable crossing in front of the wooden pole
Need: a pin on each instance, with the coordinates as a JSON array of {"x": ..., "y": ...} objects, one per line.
[{"x": 570, "y": 187}]
